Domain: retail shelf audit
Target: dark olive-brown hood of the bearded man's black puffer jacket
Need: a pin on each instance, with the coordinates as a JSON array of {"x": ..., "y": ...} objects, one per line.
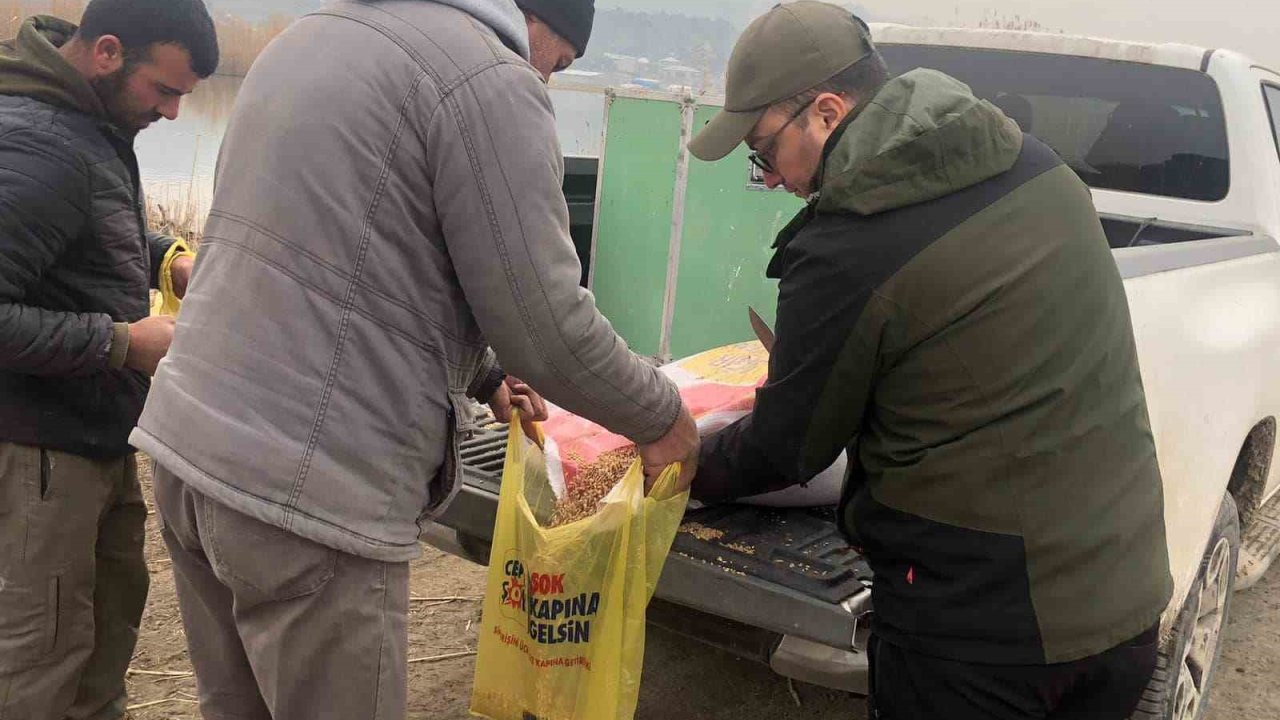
[{"x": 33, "y": 67}]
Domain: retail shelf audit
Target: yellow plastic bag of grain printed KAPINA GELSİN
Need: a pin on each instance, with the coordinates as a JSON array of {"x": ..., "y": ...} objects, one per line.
[{"x": 564, "y": 625}]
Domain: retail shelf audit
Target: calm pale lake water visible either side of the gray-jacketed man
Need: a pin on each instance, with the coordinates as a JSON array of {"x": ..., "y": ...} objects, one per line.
[{"x": 179, "y": 158}]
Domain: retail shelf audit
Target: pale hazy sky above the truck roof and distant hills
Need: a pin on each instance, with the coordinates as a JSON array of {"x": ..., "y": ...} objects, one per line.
[{"x": 1249, "y": 26}]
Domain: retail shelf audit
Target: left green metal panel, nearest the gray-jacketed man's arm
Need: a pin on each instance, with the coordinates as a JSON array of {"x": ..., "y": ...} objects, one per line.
[{"x": 633, "y": 234}]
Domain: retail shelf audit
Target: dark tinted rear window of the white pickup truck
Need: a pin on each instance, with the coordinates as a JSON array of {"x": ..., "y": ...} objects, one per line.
[{"x": 1121, "y": 126}]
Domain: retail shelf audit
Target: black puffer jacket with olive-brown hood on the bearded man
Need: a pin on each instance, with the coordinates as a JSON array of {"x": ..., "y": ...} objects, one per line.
[{"x": 76, "y": 259}]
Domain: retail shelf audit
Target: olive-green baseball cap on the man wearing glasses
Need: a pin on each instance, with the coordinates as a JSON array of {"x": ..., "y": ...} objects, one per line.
[{"x": 784, "y": 53}]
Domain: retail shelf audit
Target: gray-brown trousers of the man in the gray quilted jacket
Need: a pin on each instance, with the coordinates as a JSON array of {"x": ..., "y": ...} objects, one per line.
[{"x": 280, "y": 627}]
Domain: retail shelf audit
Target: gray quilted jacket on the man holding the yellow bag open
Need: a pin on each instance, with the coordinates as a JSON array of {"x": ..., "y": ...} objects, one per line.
[{"x": 385, "y": 212}]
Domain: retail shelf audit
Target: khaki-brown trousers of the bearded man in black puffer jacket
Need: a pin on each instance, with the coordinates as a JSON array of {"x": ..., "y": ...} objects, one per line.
[{"x": 74, "y": 584}]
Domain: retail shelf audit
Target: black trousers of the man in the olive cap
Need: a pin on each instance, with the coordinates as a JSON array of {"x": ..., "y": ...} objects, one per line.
[{"x": 909, "y": 686}]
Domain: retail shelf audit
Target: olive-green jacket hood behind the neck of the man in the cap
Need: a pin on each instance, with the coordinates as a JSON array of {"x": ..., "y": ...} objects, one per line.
[{"x": 924, "y": 136}]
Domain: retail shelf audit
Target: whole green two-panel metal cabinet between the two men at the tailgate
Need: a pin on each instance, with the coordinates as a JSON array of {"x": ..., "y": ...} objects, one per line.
[{"x": 680, "y": 247}]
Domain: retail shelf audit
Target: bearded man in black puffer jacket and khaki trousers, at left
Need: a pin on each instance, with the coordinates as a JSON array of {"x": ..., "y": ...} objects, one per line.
[{"x": 76, "y": 344}]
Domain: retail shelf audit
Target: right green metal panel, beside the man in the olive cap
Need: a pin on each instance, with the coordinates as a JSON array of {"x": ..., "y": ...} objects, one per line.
[{"x": 728, "y": 244}]
